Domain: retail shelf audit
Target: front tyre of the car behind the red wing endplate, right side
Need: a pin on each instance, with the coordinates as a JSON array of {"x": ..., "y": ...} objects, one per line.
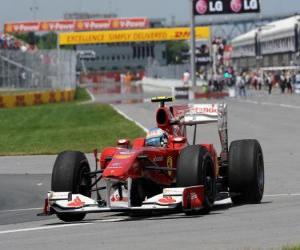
[{"x": 195, "y": 167}]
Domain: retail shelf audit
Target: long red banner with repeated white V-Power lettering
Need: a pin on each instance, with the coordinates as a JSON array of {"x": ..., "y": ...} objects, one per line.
[{"x": 77, "y": 25}]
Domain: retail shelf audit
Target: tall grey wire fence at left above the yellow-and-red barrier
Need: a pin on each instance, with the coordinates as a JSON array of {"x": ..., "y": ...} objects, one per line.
[{"x": 43, "y": 69}]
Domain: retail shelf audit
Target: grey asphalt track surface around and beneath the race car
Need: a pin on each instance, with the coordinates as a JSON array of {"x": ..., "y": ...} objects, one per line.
[{"x": 273, "y": 120}]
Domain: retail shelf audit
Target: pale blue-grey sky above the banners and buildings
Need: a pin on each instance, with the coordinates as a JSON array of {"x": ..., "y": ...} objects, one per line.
[{"x": 178, "y": 10}]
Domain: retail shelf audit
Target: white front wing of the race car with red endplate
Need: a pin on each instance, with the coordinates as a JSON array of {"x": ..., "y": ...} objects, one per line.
[{"x": 172, "y": 199}]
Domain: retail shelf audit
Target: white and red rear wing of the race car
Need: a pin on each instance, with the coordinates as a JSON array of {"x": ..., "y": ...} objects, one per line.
[{"x": 193, "y": 114}]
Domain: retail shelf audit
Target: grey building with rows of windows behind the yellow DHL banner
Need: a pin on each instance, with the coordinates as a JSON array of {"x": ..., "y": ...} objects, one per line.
[{"x": 123, "y": 57}]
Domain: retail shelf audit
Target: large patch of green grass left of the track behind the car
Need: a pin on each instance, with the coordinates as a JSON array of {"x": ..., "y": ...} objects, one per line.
[{"x": 52, "y": 128}]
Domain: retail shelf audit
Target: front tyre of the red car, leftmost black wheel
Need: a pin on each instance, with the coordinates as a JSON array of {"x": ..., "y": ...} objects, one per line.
[{"x": 70, "y": 175}]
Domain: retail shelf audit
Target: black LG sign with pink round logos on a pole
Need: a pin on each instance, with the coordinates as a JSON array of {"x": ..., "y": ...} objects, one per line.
[{"x": 214, "y": 7}]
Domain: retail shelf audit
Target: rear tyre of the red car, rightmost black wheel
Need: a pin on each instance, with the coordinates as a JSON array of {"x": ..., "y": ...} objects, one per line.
[{"x": 246, "y": 171}]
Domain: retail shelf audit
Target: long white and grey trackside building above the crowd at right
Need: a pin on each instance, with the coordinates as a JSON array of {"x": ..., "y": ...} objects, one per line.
[{"x": 276, "y": 44}]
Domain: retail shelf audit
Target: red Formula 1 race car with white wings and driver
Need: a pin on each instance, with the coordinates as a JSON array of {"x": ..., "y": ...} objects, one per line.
[{"x": 161, "y": 171}]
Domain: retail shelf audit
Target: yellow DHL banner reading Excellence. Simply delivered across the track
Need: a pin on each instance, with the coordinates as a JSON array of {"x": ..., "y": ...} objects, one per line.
[{"x": 138, "y": 35}]
